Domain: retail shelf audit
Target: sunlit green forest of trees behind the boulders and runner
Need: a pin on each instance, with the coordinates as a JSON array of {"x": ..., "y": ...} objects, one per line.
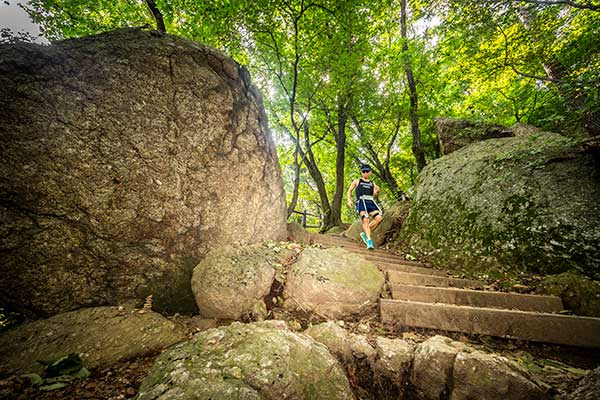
[{"x": 361, "y": 81}]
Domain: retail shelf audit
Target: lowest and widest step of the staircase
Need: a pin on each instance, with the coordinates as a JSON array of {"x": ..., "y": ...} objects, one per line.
[{"x": 526, "y": 325}]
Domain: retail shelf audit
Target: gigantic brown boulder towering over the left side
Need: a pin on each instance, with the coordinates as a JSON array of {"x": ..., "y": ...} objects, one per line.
[{"x": 124, "y": 157}]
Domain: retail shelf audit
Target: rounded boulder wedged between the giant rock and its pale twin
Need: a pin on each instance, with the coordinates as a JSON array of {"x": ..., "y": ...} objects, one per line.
[{"x": 230, "y": 281}]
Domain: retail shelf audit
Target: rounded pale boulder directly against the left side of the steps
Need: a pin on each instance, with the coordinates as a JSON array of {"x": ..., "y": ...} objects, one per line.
[{"x": 332, "y": 283}]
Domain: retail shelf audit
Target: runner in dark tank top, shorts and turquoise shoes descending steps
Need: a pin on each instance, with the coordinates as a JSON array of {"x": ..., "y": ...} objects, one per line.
[{"x": 367, "y": 208}]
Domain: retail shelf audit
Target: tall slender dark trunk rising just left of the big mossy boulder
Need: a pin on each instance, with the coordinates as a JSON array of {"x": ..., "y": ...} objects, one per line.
[{"x": 414, "y": 99}]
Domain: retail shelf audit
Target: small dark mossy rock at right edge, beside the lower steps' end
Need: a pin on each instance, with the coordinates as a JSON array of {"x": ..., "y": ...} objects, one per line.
[{"x": 578, "y": 293}]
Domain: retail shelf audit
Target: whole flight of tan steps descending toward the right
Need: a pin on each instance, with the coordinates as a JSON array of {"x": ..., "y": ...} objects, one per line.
[{"x": 430, "y": 298}]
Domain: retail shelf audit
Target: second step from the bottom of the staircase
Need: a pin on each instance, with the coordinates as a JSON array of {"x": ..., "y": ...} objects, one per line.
[{"x": 477, "y": 298}]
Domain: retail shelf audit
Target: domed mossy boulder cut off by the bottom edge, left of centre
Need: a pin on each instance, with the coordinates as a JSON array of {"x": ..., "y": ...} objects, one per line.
[{"x": 260, "y": 361}]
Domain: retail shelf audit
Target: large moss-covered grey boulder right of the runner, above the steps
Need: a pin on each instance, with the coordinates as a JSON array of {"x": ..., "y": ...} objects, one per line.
[{"x": 529, "y": 203}]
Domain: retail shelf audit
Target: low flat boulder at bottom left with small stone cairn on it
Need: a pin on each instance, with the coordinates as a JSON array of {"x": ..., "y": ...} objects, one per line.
[{"x": 101, "y": 336}]
